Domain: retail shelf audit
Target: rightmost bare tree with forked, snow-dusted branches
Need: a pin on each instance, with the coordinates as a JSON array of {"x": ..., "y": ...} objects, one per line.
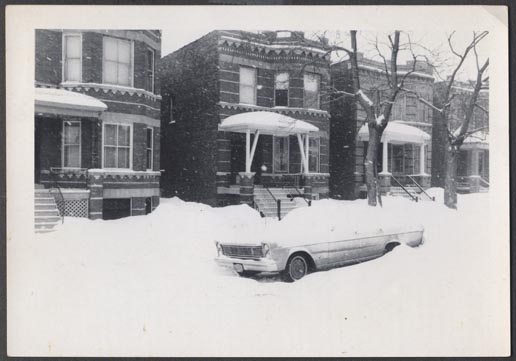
[{"x": 442, "y": 108}]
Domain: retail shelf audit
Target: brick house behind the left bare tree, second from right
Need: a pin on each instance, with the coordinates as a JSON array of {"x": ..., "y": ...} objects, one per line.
[{"x": 406, "y": 150}]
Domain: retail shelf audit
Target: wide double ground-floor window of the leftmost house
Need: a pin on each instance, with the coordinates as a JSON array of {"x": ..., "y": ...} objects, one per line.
[{"x": 117, "y": 146}]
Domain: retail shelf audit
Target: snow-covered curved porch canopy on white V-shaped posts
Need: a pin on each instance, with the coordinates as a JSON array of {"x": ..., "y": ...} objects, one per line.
[{"x": 267, "y": 123}]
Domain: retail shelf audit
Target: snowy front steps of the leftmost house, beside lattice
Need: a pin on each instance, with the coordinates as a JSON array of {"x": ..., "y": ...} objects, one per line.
[{"x": 46, "y": 213}]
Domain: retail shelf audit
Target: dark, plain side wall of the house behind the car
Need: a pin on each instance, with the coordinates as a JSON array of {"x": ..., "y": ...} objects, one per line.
[{"x": 190, "y": 78}]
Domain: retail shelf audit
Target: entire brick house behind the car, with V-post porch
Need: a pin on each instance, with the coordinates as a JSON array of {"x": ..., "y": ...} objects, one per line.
[{"x": 243, "y": 113}]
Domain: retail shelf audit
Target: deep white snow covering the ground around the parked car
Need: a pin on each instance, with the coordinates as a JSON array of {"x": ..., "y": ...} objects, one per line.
[{"x": 148, "y": 286}]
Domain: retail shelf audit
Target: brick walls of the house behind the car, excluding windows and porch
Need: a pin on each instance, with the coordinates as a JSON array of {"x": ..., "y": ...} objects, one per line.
[{"x": 202, "y": 80}]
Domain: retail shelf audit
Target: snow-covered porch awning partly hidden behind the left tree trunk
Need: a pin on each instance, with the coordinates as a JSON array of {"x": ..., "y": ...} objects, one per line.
[{"x": 397, "y": 132}]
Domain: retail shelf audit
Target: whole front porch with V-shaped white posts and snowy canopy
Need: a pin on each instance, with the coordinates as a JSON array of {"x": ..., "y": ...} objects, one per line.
[{"x": 273, "y": 152}]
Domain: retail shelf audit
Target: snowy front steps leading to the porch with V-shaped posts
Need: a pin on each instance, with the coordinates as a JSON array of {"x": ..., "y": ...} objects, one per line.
[{"x": 265, "y": 200}]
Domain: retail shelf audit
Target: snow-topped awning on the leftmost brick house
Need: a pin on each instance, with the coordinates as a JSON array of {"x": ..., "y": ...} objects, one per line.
[{"x": 64, "y": 102}]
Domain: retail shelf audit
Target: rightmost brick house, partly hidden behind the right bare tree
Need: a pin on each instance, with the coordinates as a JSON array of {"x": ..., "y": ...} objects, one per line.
[{"x": 473, "y": 160}]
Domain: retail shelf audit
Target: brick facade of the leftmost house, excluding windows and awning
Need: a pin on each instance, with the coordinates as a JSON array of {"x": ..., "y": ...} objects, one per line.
[{"x": 136, "y": 106}]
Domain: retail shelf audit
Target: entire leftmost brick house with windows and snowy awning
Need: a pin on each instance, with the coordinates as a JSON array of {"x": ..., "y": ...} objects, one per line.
[{"x": 97, "y": 128}]
